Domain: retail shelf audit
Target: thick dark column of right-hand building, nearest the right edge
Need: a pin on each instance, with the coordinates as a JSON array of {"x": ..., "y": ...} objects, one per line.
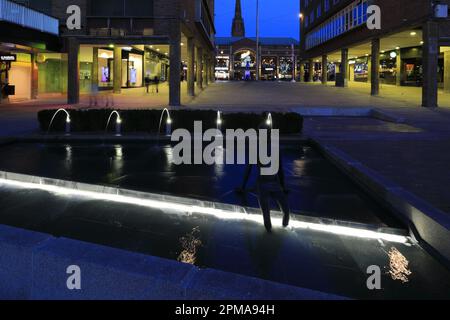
[{"x": 430, "y": 63}]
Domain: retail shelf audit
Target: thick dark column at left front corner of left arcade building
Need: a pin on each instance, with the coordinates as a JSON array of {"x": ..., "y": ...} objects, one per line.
[{"x": 73, "y": 72}]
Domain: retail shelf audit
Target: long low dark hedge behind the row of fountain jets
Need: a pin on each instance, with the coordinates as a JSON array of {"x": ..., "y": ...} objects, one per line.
[{"x": 94, "y": 120}]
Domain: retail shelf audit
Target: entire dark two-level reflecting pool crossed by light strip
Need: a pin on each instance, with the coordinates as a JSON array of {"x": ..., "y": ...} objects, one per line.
[{"x": 334, "y": 263}]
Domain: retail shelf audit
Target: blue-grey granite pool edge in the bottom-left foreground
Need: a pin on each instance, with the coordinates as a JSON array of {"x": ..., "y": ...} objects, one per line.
[{"x": 36, "y": 266}]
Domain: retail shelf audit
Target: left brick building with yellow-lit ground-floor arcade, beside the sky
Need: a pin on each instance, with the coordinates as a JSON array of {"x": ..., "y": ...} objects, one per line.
[{"x": 122, "y": 42}]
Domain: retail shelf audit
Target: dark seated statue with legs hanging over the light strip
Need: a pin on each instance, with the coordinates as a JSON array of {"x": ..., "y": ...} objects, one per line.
[{"x": 269, "y": 187}]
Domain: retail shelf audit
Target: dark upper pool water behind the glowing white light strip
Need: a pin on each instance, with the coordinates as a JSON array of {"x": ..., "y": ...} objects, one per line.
[{"x": 316, "y": 187}]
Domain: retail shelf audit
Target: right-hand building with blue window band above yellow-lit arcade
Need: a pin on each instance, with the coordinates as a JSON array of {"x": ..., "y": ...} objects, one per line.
[{"x": 411, "y": 47}]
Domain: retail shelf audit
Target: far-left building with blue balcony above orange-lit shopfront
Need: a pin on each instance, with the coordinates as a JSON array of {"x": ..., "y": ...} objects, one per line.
[{"x": 25, "y": 35}]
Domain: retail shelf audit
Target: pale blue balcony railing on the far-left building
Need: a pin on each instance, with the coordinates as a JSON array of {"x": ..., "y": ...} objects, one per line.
[{"x": 26, "y": 17}]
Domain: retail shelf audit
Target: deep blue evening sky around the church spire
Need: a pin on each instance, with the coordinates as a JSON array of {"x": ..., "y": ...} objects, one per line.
[{"x": 278, "y": 18}]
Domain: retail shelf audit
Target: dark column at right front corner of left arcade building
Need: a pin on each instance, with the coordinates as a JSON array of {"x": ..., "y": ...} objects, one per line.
[{"x": 175, "y": 72}]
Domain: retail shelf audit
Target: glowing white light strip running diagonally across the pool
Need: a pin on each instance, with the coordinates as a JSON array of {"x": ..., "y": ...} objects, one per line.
[{"x": 219, "y": 213}]
